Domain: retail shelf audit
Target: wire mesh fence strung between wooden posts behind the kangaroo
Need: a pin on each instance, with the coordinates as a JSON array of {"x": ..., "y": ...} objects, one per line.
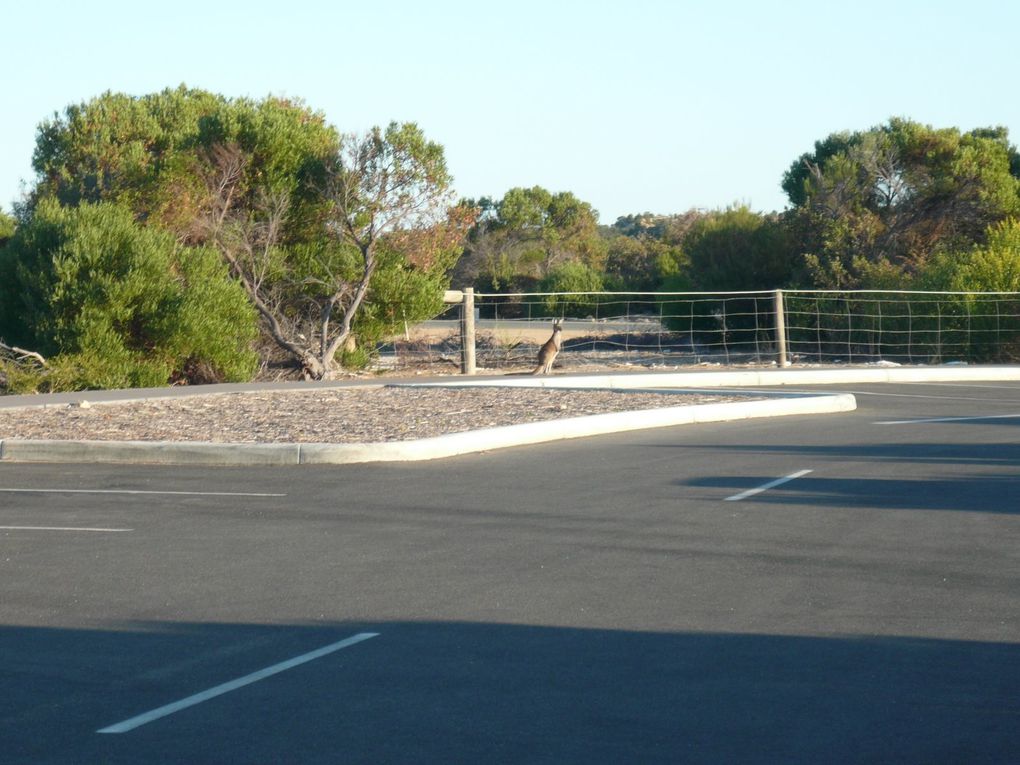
[{"x": 673, "y": 330}]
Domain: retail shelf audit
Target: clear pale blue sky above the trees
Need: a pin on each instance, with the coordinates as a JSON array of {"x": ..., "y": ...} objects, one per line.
[{"x": 634, "y": 106}]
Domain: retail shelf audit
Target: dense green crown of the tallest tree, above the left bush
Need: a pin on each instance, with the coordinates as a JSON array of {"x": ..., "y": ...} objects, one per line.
[{"x": 150, "y": 154}]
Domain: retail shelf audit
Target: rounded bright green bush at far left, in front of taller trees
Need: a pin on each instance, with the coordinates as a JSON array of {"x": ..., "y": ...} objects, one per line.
[{"x": 122, "y": 305}]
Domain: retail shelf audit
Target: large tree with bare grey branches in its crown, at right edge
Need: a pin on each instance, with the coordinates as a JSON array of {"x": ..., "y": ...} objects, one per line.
[{"x": 896, "y": 194}]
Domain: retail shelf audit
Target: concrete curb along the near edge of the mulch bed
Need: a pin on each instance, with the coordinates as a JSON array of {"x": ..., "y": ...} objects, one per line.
[{"x": 16, "y": 450}]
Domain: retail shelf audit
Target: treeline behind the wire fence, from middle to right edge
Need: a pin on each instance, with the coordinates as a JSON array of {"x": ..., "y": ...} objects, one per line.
[{"x": 901, "y": 206}]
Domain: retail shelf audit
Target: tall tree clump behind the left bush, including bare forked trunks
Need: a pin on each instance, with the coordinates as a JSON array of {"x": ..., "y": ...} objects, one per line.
[{"x": 277, "y": 191}]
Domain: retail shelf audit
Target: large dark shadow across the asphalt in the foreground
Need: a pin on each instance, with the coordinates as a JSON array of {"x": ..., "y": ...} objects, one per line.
[{"x": 450, "y": 692}]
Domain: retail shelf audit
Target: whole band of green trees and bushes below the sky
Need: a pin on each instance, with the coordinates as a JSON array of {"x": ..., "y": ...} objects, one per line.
[{"x": 187, "y": 237}]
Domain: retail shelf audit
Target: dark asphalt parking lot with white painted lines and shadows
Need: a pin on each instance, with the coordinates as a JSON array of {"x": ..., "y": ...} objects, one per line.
[{"x": 809, "y": 589}]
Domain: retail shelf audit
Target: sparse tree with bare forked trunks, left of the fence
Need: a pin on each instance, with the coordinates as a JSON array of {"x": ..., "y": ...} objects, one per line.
[{"x": 383, "y": 189}]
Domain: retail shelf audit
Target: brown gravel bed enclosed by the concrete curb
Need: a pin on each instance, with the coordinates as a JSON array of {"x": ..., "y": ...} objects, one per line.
[{"x": 328, "y": 417}]
